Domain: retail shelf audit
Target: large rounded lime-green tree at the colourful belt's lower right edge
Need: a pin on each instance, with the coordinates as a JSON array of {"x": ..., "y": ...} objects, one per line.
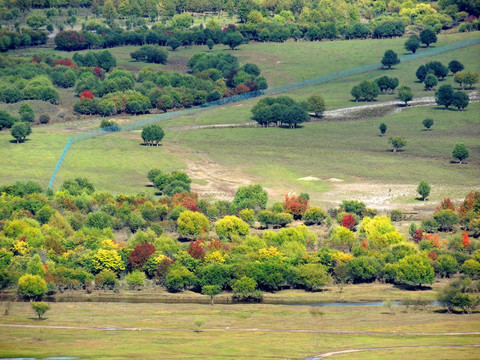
[{"x": 415, "y": 270}]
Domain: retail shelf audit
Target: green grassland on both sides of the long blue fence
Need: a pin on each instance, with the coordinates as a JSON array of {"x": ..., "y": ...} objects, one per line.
[{"x": 276, "y": 158}]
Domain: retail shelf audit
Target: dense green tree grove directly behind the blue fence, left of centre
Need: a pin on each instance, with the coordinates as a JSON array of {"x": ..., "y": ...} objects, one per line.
[{"x": 214, "y": 76}]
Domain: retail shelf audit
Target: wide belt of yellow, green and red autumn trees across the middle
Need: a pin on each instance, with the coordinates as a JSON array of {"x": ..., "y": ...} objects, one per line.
[{"x": 64, "y": 240}]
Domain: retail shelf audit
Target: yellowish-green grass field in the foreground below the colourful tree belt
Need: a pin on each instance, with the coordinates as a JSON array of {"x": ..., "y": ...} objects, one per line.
[{"x": 230, "y": 331}]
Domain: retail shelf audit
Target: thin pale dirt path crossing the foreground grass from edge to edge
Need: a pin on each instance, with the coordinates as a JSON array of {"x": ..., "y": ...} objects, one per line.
[{"x": 339, "y": 332}]
